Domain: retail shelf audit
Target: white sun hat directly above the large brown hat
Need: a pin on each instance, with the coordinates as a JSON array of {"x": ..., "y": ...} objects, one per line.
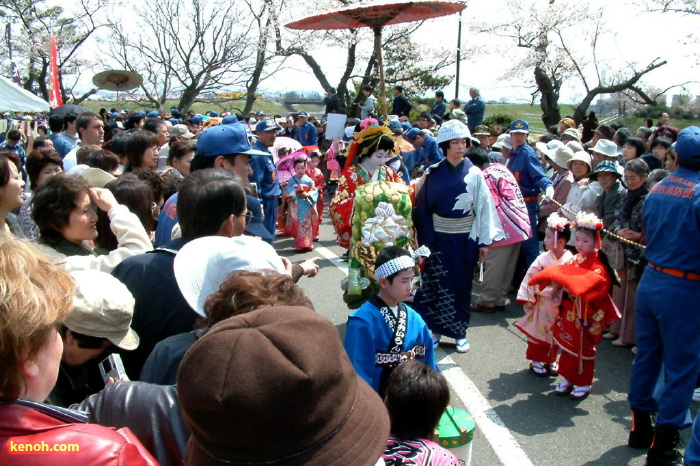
[{"x": 203, "y": 264}]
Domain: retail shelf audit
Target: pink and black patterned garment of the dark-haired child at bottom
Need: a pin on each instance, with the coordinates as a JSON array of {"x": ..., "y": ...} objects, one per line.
[{"x": 417, "y": 452}]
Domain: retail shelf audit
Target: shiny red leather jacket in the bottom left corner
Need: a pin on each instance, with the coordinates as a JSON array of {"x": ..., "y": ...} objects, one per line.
[{"x": 33, "y": 425}]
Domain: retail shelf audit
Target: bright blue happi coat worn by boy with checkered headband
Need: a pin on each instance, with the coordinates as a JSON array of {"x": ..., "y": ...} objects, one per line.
[{"x": 370, "y": 341}]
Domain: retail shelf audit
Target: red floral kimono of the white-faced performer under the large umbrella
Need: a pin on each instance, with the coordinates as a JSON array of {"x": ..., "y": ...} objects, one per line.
[{"x": 341, "y": 206}]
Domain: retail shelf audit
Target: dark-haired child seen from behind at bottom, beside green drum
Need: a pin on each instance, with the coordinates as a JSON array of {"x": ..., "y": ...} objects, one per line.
[{"x": 416, "y": 397}]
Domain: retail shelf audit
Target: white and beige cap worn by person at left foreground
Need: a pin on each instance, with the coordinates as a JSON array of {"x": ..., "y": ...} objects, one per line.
[{"x": 102, "y": 307}]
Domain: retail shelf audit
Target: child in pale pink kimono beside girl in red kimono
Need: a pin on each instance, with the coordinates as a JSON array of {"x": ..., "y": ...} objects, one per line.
[{"x": 542, "y": 306}]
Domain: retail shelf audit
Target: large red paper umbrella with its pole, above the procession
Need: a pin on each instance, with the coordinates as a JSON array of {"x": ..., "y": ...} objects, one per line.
[{"x": 377, "y": 14}]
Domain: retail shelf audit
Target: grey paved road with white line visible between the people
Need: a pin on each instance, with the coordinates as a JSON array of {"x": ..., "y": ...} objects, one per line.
[{"x": 520, "y": 421}]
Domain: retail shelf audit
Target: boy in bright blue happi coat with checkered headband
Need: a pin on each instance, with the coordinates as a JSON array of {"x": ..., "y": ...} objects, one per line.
[{"x": 385, "y": 332}]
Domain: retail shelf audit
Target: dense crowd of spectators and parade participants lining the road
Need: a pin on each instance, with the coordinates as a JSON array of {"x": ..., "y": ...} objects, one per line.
[{"x": 149, "y": 236}]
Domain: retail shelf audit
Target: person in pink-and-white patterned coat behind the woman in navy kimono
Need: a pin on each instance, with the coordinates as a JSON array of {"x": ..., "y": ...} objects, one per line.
[{"x": 503, "y": 255}]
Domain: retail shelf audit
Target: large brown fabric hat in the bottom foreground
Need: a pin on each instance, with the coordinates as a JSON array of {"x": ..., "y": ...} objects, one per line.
[{"x": 275, "y": 386}]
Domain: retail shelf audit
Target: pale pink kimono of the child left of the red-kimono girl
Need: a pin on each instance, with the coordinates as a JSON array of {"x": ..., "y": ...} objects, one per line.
[{"x": 541, "y": 309}]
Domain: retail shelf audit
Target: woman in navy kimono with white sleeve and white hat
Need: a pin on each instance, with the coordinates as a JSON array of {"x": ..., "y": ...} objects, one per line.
[{"x": 456, "y": 218}]
